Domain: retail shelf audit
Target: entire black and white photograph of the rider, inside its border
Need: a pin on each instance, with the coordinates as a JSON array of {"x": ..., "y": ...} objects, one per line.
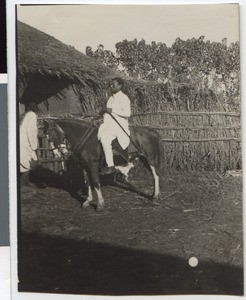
[{"x": 128, "y": 149}]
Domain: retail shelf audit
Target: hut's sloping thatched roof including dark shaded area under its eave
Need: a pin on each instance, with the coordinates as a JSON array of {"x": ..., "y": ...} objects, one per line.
[{"x": 45, "y": 66}]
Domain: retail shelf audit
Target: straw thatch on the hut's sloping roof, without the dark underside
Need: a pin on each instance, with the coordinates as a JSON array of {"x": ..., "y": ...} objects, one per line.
[{"x": 40, "y": 53}]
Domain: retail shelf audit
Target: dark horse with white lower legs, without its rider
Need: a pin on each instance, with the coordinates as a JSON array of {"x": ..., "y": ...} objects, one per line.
[{"x": 79, "y": 138}]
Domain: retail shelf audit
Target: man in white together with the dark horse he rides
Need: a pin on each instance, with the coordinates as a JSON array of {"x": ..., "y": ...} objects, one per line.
[{"x": 85, "y": 142}]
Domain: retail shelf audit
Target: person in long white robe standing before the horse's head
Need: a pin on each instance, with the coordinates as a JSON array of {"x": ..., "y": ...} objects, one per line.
[{"x": 28, "y": 142}]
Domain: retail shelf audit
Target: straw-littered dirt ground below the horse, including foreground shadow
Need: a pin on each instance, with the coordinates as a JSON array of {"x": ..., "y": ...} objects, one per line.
[{"x": 134, "y": 246}]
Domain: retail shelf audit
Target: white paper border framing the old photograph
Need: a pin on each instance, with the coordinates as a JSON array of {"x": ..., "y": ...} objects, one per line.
[{"x": 11, "y": 55}]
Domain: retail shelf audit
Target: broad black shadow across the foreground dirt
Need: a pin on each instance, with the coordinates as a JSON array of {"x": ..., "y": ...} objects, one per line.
[{"x": 57, "y": 265}]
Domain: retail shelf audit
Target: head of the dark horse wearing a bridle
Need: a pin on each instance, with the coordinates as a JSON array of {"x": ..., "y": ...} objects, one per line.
[{"x": 56, "y": 137}]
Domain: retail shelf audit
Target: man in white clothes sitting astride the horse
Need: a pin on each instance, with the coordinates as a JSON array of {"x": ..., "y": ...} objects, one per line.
[{"x": 115, "y": 123}]
